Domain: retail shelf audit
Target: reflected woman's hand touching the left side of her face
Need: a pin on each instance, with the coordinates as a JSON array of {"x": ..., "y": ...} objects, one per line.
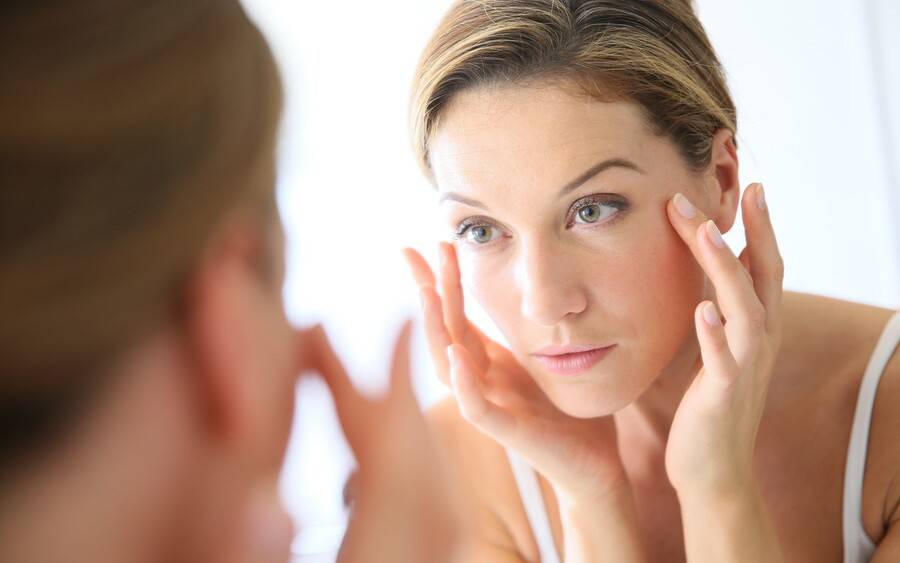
[{"x": 497, "y": 395}]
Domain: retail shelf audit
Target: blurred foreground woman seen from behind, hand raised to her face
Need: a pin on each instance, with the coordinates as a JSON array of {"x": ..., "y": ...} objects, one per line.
[{"x": 147, "y": 370}]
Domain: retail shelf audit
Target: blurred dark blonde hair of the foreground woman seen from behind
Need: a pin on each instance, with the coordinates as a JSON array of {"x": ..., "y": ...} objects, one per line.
[{"x": 128, "y": 131}]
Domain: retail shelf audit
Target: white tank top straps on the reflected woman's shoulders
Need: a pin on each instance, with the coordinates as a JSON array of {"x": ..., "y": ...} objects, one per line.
[{"x": 858, "y": 546}]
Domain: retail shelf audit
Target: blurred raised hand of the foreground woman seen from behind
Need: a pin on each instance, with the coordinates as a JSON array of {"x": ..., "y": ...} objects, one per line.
[{"x": 402, "y": 508}]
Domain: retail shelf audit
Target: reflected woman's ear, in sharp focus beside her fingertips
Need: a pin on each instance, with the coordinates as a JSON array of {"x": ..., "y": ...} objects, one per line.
[{"x": 723, "y": 184}]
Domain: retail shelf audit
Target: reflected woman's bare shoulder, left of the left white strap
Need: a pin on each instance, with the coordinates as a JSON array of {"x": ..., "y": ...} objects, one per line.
[{"x": 489, "y": 496}]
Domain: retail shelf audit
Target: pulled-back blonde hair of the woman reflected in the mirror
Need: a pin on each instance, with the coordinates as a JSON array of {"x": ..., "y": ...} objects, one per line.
[{"x": 651, "y": 52}]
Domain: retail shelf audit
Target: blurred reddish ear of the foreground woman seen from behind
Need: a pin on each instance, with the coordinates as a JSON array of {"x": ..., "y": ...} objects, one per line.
[{"x": 219, "y": 309}]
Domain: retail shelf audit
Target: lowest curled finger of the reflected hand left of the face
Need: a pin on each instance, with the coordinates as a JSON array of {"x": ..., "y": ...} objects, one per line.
[{"x": 474, "y": 407}]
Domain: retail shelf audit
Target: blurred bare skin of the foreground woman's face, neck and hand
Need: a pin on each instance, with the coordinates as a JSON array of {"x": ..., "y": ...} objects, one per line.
[{"x": 178, "y": 459}]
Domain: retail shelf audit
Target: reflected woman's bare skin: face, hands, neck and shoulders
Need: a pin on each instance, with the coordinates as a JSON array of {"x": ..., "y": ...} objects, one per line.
[{"x": 694, "y": 436}]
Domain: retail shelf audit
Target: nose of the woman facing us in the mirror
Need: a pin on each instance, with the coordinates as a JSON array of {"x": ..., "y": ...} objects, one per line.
[{"x": 550, "y": 284}]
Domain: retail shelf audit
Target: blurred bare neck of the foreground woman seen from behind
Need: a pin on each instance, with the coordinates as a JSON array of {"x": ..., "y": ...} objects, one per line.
[{"x": 113, "y": 489}]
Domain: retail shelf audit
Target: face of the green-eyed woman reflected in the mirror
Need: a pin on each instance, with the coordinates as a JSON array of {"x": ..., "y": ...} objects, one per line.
[{"x": 557, "y": 206}]
